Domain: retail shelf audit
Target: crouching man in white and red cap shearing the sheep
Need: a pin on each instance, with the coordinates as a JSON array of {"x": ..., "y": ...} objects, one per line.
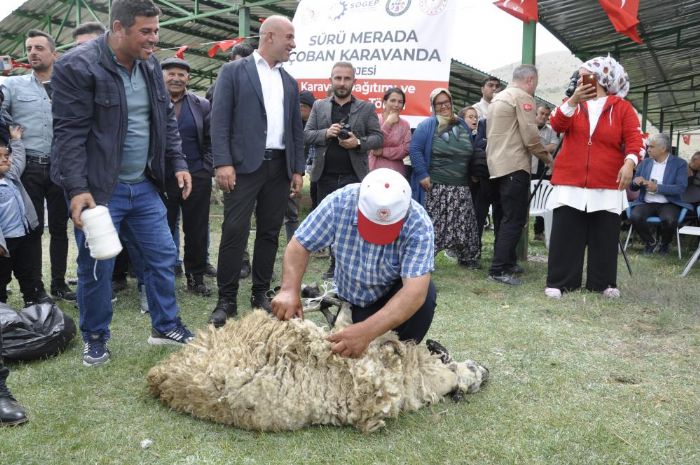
[{"x": 383, "y": 241}]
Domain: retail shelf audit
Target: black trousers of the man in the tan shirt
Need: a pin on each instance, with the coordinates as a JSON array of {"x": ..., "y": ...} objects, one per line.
[{"x": 510, "y": 195}]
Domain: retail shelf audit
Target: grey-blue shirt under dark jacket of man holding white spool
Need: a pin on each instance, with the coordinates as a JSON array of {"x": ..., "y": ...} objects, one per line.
[{"x": 138, "y": 133}]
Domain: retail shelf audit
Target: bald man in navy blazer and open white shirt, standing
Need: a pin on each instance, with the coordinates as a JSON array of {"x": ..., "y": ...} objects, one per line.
[{"x": 258, "y": 147}]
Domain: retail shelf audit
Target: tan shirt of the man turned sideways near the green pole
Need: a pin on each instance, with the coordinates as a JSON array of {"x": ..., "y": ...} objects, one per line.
[{"x": 512, "y": 133}]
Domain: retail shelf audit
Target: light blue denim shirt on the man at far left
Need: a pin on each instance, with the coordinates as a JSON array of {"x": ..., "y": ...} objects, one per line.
[{"x": 28, "y": 105}]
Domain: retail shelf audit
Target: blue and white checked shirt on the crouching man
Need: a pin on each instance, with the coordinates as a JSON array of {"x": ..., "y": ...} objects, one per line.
[{"x": 364, "y": 271}]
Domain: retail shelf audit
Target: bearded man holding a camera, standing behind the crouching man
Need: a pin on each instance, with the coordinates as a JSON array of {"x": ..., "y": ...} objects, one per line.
[{"x": 342, "y": 129}]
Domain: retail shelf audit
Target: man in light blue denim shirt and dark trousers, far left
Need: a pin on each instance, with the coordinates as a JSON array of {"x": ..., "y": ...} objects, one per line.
[{"x": 28, "y": 104}]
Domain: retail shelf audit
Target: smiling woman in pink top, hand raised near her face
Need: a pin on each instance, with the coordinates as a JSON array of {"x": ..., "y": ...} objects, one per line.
[{"x": 397, "y": 134}]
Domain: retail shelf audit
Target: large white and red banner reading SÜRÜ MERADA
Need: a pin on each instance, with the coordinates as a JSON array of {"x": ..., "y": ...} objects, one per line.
[{"x": 390, "y": 43}]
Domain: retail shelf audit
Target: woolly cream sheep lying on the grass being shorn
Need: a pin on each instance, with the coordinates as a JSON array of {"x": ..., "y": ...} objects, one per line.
[{"x": 259, "y": 373}]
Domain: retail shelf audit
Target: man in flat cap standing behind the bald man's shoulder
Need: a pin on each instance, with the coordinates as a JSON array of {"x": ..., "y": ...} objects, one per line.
[{"x": 192, "y": 113}]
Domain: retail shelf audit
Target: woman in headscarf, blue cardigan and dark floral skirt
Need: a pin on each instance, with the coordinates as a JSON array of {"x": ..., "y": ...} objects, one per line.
[{"x": 440, "y": 151}]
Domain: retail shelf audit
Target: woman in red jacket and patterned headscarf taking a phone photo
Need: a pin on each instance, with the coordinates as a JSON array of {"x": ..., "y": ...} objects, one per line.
[{"x": 600, "y": 150}]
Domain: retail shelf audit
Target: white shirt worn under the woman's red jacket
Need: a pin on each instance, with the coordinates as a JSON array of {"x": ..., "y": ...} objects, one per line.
[{"x": 584, "y": 199}]
